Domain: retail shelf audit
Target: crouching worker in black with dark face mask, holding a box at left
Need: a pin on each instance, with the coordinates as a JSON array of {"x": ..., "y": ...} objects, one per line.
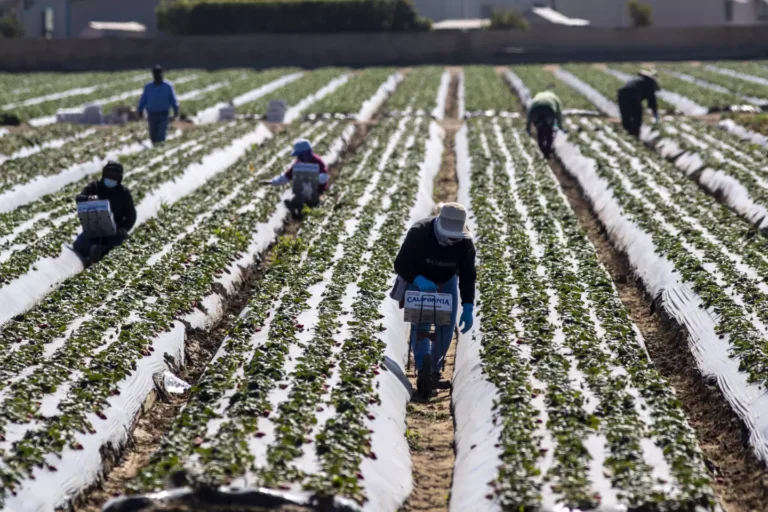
[{"x": 109, "y": 187}]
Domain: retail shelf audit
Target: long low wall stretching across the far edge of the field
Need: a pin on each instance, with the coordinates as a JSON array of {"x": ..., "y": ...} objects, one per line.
[{"x": 371, "y": 49}]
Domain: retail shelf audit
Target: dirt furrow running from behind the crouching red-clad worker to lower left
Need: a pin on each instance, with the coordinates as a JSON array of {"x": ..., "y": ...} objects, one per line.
[{"x": 201, "y": 346}]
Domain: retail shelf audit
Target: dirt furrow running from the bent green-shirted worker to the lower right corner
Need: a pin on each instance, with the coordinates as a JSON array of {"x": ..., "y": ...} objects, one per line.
[{"x": 740, "y": 482}]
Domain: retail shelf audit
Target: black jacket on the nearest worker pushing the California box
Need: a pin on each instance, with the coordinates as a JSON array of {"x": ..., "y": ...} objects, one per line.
[{"x": 421, "y": 254}]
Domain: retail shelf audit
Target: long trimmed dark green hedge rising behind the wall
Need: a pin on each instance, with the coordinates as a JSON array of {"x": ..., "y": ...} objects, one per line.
[{"x": 285, "y": 16}]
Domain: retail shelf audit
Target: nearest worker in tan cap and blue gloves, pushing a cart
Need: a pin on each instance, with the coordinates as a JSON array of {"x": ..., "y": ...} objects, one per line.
[{"x": 437, "y": 251}]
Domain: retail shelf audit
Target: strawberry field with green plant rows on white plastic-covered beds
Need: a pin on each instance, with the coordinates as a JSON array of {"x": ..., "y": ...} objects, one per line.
[{"x": 599, "y": 272}]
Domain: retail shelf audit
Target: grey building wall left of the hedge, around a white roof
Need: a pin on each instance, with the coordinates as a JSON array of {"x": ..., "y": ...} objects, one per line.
[{"x": 85, "y": 11}]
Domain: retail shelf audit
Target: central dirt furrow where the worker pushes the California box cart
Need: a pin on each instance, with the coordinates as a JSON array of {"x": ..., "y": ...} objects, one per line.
[{"x": 430, "y": 424}]
